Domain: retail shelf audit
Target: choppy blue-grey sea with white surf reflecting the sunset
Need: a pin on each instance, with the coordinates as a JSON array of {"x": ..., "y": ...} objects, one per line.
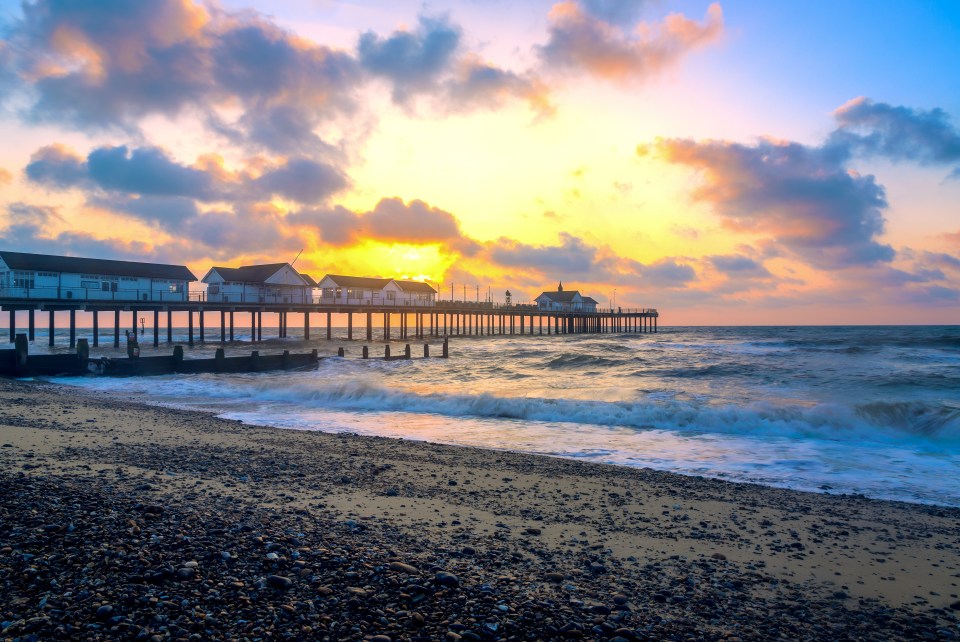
[{"x": 871, "y": 410}]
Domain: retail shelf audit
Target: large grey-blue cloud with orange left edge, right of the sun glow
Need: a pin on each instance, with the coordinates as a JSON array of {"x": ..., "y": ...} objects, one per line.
[{"x": 804, "y": 197}]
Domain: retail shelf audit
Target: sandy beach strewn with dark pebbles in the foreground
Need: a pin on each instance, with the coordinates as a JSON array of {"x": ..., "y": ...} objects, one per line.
[{"x": 126, "y": 521}]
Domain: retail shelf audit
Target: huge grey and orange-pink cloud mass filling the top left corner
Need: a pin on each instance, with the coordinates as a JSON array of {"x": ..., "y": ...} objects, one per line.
[{"x": 108, "y": 65}]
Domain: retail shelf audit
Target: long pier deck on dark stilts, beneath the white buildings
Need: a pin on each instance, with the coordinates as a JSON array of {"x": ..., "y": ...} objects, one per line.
[{"x": 443, "y": 319}]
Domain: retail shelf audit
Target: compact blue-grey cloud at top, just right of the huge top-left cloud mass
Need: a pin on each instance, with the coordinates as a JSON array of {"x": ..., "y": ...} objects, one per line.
[{"x": 412, "y": 61}]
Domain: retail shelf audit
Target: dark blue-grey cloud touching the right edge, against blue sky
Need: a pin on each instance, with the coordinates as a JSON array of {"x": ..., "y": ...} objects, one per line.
[{"x": 900, "y": 133}]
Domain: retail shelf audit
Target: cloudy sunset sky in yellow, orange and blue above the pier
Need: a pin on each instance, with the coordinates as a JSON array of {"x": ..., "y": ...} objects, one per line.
[{"x": 744, "y": 162}]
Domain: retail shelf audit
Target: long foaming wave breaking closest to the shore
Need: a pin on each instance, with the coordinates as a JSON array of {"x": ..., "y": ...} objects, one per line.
[{"x": 836, "y": 422}]
